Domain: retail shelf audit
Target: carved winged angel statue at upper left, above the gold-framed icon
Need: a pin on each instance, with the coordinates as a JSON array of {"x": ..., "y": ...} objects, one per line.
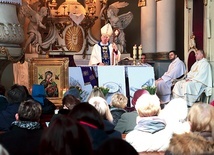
[{"x": 35, "y": 17}]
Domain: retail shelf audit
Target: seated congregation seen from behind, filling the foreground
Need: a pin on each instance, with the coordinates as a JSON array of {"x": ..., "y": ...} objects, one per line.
[{"x": 96, "y": 128}]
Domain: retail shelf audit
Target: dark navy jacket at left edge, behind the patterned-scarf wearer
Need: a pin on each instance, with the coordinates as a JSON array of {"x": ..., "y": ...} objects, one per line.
[{"x": 7, "y": 116}]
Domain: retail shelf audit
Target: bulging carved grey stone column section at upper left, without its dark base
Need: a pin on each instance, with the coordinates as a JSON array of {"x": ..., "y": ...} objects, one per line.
[{"x": 11, "y": 32}]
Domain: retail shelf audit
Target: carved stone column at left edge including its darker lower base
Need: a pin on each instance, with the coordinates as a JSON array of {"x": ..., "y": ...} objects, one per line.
[{"x": 11, "y": 37}]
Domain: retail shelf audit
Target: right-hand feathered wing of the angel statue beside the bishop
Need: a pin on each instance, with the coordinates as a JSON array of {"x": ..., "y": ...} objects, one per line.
[{"x": 125, "y": 19}]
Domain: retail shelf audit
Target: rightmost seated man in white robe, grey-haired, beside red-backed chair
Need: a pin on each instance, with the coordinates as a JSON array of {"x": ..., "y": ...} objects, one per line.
[{"x": 198, "y": 79}]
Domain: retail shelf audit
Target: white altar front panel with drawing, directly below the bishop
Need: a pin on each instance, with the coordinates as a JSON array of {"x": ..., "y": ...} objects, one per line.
[{"x": 115, "y": 82}]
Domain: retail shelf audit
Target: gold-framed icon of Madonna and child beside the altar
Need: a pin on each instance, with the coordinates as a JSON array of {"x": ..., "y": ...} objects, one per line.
[{"x": 56, "y": 69}]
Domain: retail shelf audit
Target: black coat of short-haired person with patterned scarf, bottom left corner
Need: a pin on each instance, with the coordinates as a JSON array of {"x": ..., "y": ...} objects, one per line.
[{"x": 20, "y": 141}]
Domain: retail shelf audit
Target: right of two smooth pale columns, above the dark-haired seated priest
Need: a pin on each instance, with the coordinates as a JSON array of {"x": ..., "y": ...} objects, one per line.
[{"x": 165, "y": 25}]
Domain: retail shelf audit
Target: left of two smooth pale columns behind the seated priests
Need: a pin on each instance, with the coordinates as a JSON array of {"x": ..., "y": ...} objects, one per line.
[{"x": 148, "y": 27}]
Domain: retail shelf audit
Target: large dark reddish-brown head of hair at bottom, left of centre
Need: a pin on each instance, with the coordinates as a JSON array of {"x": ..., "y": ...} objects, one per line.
[{"x": 65, "y": 137}]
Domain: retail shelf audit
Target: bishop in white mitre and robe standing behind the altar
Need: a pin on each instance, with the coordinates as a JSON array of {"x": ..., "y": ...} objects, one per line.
[{"x": 104, "y": 52}]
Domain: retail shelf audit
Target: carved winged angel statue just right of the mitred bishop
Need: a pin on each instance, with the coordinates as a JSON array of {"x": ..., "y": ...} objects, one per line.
[{"x": 119, "y": 23}]
